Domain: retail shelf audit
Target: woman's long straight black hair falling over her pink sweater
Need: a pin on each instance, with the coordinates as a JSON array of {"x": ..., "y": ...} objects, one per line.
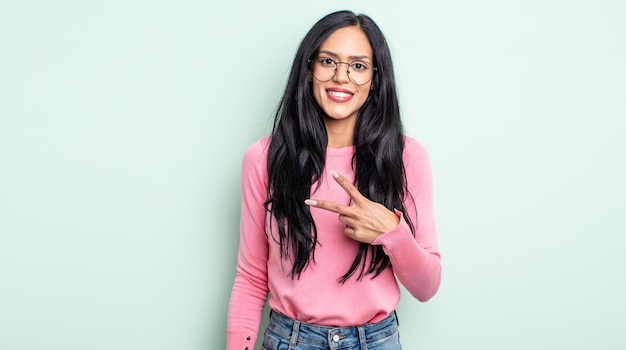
[{"x": 297, "y": 149}]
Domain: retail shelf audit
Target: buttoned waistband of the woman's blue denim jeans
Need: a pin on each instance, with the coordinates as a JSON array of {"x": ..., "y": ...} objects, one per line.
[{"x": 297, "y": 332}]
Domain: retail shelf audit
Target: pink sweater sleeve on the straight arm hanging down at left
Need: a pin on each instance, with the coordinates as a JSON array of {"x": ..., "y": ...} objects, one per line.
[{"x": 250, "y": 290}]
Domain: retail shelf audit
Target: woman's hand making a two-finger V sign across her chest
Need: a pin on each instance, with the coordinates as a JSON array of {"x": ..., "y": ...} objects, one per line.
[{"x": 365, "y": 220}]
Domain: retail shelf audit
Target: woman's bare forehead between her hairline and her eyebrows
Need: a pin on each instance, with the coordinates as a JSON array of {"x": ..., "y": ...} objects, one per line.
[{"x": 348, "y": 42}]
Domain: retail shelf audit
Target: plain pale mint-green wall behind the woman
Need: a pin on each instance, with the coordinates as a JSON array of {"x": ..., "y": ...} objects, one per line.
[{"x": 123, "y": 124}]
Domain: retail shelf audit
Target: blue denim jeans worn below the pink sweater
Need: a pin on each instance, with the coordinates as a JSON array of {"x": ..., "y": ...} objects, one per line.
[{"x": 284, "y": 333}]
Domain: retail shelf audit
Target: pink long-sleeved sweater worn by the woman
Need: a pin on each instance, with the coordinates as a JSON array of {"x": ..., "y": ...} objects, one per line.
[{"x": 317, "y": 297}]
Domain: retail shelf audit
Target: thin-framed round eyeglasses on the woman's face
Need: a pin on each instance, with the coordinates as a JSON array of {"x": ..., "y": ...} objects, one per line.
[{"x": 325, "y": 69}]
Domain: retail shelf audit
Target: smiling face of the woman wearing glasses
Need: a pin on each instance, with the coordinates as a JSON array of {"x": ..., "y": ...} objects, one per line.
[{"x": 339, "y": 97}]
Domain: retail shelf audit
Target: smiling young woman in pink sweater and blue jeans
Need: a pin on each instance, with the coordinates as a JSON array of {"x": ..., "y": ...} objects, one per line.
[{"x": 336, "y": 203}]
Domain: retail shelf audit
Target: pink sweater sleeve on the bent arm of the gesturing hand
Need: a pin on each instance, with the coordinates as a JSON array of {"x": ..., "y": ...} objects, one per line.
[{"x": 415, "y": 257}]
